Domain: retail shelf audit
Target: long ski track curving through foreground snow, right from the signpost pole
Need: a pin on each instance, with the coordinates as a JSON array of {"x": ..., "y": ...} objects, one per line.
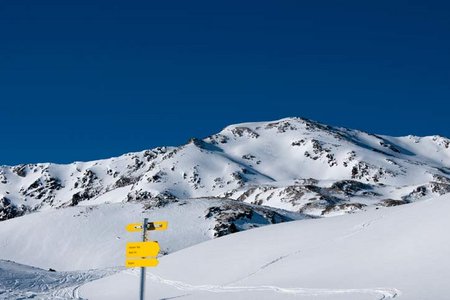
[{"x": 383, "y": 293}]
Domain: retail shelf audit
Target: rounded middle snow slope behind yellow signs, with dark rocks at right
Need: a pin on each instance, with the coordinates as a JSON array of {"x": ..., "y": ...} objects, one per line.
[{"x": 88, "y": 237}]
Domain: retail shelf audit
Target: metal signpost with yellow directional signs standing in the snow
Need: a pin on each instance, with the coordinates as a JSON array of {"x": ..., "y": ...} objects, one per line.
[{"x": 143, "y": 254}]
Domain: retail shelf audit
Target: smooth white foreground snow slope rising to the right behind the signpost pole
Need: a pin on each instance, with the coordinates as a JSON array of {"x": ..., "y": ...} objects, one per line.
[{"x": 398, "y": 252}]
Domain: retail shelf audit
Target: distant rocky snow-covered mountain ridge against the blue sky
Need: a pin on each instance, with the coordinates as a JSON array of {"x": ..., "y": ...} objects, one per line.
[{"x": 294, "y": 164}]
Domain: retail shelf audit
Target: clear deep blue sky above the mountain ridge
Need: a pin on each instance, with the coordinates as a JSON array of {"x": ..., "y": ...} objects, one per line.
[{"x": 82, "y": 80}]
